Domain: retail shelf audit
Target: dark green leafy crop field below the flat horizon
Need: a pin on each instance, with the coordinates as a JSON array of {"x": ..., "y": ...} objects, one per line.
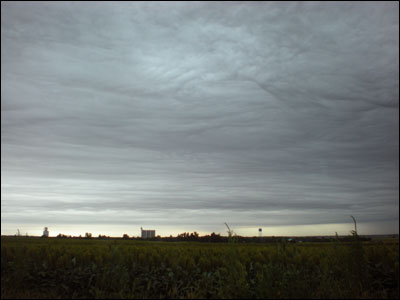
[{"x": 116, "y": 268}]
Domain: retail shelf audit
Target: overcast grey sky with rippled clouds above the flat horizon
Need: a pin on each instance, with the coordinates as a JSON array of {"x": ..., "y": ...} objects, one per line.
[{"x": 180, "y": 116}]
